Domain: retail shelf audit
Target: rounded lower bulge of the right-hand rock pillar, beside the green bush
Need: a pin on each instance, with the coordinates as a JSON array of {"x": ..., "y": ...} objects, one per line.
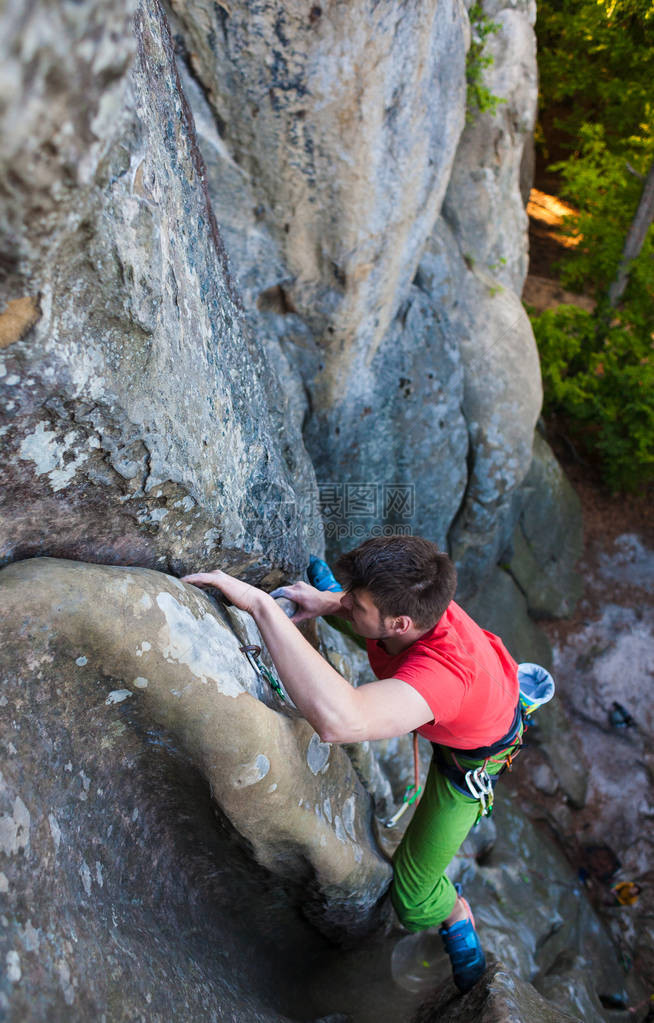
[{"x": 501, "y": 402}]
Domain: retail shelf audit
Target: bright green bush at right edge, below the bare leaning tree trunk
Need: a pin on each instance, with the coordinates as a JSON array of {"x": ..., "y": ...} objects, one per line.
[{"x": 603, "y": 386}]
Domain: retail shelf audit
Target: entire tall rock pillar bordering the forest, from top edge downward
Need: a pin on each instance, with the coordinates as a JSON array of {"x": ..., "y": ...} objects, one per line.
[{"x": 474, "y": 269}]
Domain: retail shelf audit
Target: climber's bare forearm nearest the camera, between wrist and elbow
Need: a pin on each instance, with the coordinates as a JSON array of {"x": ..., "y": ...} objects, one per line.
[{"x": 321, "y": 694}]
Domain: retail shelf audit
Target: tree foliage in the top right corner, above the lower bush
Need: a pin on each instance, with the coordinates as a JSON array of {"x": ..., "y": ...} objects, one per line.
[{"x": 597, "y": 69}]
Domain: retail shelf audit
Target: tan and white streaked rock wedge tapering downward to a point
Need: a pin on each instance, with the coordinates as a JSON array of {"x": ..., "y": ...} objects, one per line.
[{"x": 347, "y": 124}]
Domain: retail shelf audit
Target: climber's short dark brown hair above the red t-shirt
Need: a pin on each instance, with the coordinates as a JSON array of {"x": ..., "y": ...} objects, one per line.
[{"x": 405, "y": 575}]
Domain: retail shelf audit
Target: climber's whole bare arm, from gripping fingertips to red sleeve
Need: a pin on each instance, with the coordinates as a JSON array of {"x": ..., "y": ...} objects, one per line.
[{"x": 337, "y": 711}]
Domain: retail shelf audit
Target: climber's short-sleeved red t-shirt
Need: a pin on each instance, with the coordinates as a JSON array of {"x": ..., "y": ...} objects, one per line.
[{"x": 466, "y": 676}]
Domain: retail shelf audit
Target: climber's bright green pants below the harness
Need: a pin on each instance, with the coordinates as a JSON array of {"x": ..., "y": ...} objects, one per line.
[{"x": 422, "y": 895}]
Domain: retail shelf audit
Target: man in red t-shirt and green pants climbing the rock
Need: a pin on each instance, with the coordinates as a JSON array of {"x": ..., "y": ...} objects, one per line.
[{"x": 439, "y": 674}]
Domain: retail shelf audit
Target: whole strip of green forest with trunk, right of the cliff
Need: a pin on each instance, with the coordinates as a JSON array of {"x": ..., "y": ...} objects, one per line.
[{"x": 595, "y": 148}]
